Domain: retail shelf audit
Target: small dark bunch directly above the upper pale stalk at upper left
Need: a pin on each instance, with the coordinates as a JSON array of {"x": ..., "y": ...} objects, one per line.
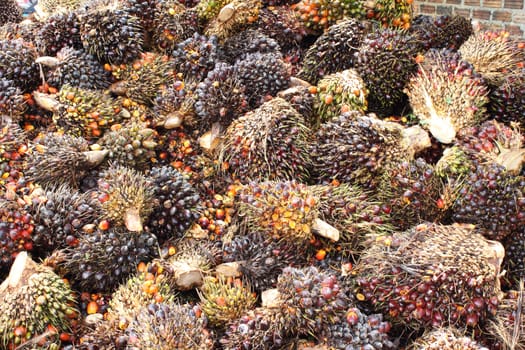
[{"x": 59, "y": 31}]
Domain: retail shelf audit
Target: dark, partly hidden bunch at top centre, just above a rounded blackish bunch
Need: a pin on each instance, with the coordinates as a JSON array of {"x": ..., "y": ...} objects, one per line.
[{"x": 247, "y": 41}]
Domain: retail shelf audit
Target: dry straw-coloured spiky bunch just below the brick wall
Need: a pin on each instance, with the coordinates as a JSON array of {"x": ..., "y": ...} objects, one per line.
[{"x": 492, "y": 55}]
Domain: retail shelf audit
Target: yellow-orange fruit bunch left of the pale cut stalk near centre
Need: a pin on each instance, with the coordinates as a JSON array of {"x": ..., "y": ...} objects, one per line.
[{"x": 285, "y": 210}]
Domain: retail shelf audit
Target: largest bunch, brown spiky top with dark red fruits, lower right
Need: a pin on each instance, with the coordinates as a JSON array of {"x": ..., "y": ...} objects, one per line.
[{"x": 432, "y": 276}]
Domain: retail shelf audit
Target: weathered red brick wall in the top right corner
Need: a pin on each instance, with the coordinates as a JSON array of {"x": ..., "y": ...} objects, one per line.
[{"x": 490, "y": 14}]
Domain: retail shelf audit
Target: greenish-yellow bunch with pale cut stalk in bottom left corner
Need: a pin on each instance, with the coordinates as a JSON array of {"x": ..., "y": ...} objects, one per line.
[{"x": 36, "y": 303}]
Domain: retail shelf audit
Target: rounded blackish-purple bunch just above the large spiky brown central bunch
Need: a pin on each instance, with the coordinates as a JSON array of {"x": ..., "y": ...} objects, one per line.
[{"x": 263, "y": 75}]
